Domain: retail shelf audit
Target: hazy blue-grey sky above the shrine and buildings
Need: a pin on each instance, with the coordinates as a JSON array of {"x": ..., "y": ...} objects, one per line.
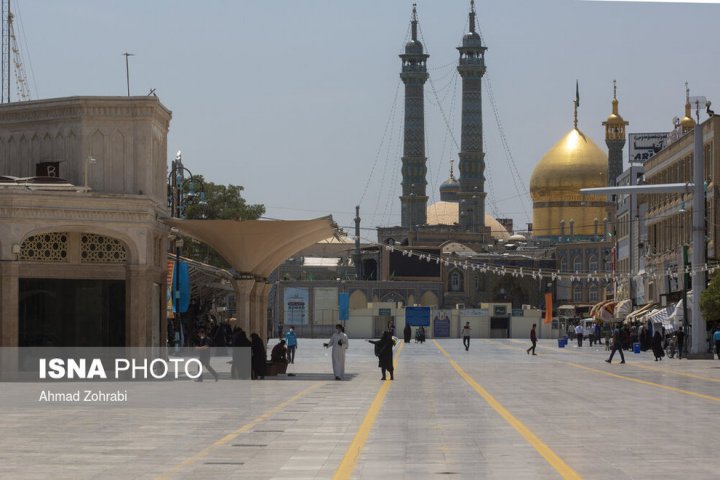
[{"x": 291, "y": 98}]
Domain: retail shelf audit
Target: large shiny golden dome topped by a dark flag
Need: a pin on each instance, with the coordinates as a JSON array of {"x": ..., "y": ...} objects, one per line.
[{"x": 573, "y": 163}]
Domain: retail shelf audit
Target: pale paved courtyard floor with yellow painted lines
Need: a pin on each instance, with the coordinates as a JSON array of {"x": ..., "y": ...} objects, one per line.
[{"x": 492, "y": 412}]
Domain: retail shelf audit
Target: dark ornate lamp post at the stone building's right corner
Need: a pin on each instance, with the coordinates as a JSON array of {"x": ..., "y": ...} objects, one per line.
[{"x": 181, "y": 193}]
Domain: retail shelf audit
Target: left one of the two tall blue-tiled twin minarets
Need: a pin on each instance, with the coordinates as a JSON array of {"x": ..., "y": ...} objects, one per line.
[{"x": 414, "y": 74}]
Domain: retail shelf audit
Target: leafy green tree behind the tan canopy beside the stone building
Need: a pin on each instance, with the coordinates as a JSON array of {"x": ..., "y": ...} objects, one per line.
[{"x": 222, "y": 202}]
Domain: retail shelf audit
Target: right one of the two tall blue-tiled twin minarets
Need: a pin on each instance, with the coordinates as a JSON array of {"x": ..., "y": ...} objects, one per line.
[{"x": 472, "y": 158}]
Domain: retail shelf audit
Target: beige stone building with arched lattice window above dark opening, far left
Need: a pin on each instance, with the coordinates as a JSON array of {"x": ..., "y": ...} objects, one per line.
[{"x": 82, "y": 192}]
